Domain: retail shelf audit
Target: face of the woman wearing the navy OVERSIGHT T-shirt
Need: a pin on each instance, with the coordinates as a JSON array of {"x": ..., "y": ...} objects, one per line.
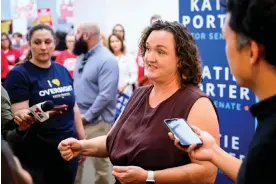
[{"x": 42, "y": 45}]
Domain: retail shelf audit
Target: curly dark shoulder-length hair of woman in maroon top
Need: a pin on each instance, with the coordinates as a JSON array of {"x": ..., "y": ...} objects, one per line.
[{"x": 189, "y": 66}]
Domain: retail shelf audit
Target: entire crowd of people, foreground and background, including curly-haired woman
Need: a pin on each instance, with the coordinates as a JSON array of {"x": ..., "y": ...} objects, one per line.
[{"x": 110, "y": 115}]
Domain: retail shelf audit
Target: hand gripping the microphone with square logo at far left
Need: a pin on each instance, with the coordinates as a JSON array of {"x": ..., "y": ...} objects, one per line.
[{"x": 23, "y": 120}]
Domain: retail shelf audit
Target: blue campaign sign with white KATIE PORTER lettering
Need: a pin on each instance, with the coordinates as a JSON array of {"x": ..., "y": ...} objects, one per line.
[{"x": 205, "y": 18}]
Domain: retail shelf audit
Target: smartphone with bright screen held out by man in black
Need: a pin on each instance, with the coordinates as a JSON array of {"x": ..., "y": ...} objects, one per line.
[{"x": 181, "y": 129}]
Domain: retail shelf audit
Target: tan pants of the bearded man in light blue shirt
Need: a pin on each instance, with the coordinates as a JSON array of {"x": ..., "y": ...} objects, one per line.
[{"x": 101, "y": 165}]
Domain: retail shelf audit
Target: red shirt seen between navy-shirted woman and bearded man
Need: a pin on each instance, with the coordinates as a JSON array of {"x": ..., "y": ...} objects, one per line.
[{"x": 68, "y": 60}]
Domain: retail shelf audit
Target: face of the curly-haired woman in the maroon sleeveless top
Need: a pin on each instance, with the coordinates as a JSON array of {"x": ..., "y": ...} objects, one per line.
[{"x": 160, "y": 56}]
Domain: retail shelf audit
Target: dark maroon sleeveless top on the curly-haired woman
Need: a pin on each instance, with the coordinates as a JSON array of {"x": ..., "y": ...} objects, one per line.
[{"x": 140, "y": 137}]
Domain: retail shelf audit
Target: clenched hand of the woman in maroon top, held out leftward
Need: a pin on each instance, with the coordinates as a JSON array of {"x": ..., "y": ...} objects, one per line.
[{"x": 70, "y": 148}]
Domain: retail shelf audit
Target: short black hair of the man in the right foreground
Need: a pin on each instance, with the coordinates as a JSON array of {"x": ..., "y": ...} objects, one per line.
[{"x": 255, "y": 20}]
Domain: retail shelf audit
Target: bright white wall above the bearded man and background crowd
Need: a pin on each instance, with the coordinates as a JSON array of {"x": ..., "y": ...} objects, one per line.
[{"x": 134, "y": 15}]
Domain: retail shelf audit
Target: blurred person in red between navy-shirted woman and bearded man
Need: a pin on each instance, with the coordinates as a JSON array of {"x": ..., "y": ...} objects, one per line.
[{"x": 66, "y": 57}]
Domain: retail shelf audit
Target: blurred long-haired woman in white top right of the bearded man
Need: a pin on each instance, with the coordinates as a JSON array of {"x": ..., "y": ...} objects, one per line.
[{"x": 127, "y": 71}]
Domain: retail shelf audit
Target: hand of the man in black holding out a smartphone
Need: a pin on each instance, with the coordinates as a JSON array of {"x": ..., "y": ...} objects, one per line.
[{"x": 205, "y": 152}]
